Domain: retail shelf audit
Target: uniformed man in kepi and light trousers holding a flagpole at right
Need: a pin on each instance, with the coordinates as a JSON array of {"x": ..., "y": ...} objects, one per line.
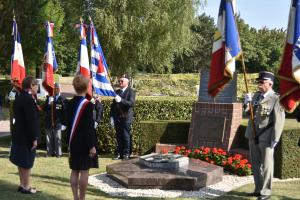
[{"x": 269, "y": 120}]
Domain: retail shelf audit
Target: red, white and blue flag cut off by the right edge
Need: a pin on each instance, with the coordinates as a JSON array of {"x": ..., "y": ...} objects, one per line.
[{"x": 289, "y": 72}]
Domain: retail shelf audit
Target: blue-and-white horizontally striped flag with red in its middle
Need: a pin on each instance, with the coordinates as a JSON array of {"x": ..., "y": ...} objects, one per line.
[{"x": 99, "y": 69}]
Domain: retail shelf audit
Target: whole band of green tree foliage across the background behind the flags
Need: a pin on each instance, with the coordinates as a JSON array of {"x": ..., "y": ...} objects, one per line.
[{"x": 158, "y": 36}]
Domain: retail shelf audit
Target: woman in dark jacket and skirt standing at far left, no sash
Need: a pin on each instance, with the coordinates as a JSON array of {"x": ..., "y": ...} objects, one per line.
[{"x": 25, "y": 133}]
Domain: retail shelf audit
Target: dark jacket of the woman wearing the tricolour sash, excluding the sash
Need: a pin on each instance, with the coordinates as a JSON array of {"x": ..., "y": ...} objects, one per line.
[{"x": 84, "y": 136}]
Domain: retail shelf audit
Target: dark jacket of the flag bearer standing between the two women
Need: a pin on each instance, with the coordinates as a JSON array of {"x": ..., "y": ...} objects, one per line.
[{"x": 59, "y": 112}]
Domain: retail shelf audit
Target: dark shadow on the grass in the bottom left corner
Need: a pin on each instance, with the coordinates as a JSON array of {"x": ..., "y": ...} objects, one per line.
[{"x": 9, "y": 191}]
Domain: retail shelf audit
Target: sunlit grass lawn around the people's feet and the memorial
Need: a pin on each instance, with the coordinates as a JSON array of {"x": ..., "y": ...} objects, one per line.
[{"x": 51, "y": 177}]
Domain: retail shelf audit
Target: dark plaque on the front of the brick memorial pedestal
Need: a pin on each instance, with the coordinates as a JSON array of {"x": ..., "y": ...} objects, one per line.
[{"x": 208, "y": 129}]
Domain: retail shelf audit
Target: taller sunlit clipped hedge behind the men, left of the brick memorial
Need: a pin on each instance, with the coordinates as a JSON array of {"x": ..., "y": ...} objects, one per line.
[{"x": 146, "y": 108}]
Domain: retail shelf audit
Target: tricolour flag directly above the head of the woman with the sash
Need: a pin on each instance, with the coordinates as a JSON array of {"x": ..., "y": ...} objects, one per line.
[{"x": 83, "y": 58}]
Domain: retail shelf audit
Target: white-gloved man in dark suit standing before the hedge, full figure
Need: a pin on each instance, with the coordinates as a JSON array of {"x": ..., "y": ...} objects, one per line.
[{"x": 122, "y": 117}]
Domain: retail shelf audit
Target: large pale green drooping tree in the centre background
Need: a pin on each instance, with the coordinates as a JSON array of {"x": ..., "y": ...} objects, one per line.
[{"x": 143, "y": 35}]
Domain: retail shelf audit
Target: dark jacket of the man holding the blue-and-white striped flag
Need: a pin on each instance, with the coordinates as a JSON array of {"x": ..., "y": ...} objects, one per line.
[{"x": 123, "y": 111}]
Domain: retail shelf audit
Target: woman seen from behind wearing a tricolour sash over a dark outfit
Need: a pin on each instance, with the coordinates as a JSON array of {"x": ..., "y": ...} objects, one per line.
[{"x": 81, "y": 137}]
